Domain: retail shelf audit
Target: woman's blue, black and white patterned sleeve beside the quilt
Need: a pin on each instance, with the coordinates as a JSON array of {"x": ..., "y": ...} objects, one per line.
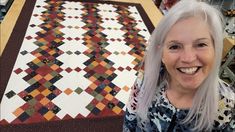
[{"x": 130, "y": 119}]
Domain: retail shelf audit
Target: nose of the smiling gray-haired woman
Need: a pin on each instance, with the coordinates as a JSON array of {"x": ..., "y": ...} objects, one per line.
[{"x": 188, "y": 55}]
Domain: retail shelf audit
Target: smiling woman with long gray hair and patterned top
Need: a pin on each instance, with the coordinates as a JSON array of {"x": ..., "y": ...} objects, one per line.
[{"x": 179, "y": 89}]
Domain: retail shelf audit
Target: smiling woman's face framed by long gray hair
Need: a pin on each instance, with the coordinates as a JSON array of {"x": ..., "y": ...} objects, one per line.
[{"x": 188, "y": 53}]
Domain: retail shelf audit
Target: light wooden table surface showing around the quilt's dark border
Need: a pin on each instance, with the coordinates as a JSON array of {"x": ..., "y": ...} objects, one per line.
[{"x": 9, "y": 21}]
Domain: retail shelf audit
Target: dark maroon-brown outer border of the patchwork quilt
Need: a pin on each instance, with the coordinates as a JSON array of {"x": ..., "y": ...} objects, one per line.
[{"x": 6, "y": 65}]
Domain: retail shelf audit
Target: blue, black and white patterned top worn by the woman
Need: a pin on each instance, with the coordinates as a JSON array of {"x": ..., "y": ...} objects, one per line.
[{"x": 164, "y": 117}]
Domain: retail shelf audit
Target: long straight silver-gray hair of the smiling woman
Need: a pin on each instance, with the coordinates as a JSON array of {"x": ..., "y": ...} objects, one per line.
[{"x": 205, "y": 102}]
